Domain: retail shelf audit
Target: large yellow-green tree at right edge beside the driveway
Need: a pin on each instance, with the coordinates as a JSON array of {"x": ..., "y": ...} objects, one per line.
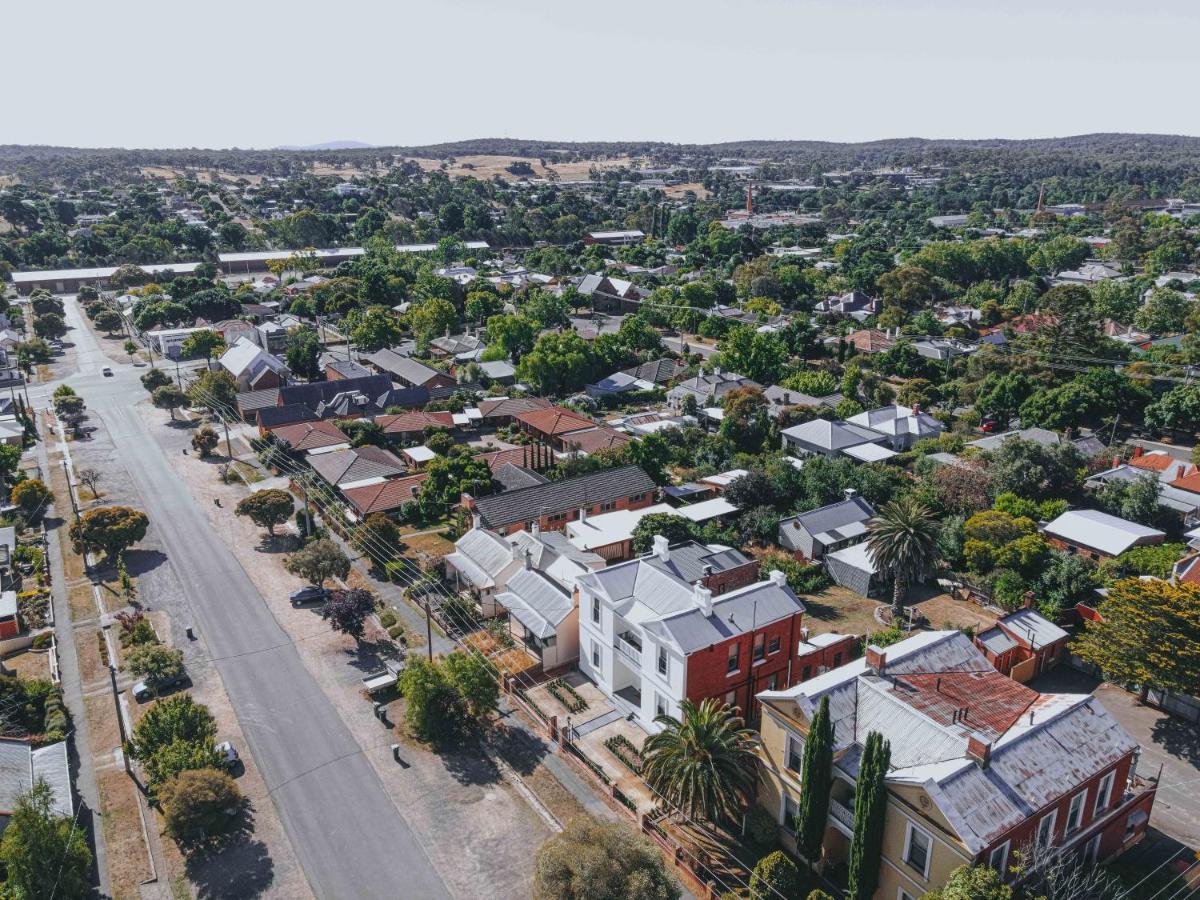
[{"x": 1149, "y": 635}]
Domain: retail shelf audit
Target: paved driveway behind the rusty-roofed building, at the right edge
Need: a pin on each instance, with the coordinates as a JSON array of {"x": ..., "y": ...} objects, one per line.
[{"x": 1167, "y": 742}]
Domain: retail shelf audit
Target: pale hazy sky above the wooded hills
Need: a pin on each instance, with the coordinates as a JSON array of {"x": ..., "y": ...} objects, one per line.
[{"x": 266, "y": 73}]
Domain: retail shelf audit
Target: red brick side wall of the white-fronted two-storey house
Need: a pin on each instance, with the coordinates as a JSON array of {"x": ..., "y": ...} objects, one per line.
[{"x": 707, "y": 669}]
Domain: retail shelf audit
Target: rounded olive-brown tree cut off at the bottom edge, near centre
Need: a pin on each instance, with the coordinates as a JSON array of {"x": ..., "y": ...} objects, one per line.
[{"x": 592, "y": 860}]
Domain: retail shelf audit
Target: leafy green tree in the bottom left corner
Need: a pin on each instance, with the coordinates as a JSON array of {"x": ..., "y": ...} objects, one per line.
[{"x": 44, "y": 853}]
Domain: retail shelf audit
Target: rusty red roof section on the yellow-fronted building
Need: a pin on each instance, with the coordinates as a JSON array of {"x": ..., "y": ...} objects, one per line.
[{"x": 993, "y": 703}]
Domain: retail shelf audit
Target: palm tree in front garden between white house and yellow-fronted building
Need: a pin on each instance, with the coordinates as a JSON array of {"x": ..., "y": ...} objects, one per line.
[{"x": 703, "y": 764}]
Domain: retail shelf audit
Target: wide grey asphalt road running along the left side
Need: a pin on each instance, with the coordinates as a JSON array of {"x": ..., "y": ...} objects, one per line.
[{"x": 349, "y": 836}]
